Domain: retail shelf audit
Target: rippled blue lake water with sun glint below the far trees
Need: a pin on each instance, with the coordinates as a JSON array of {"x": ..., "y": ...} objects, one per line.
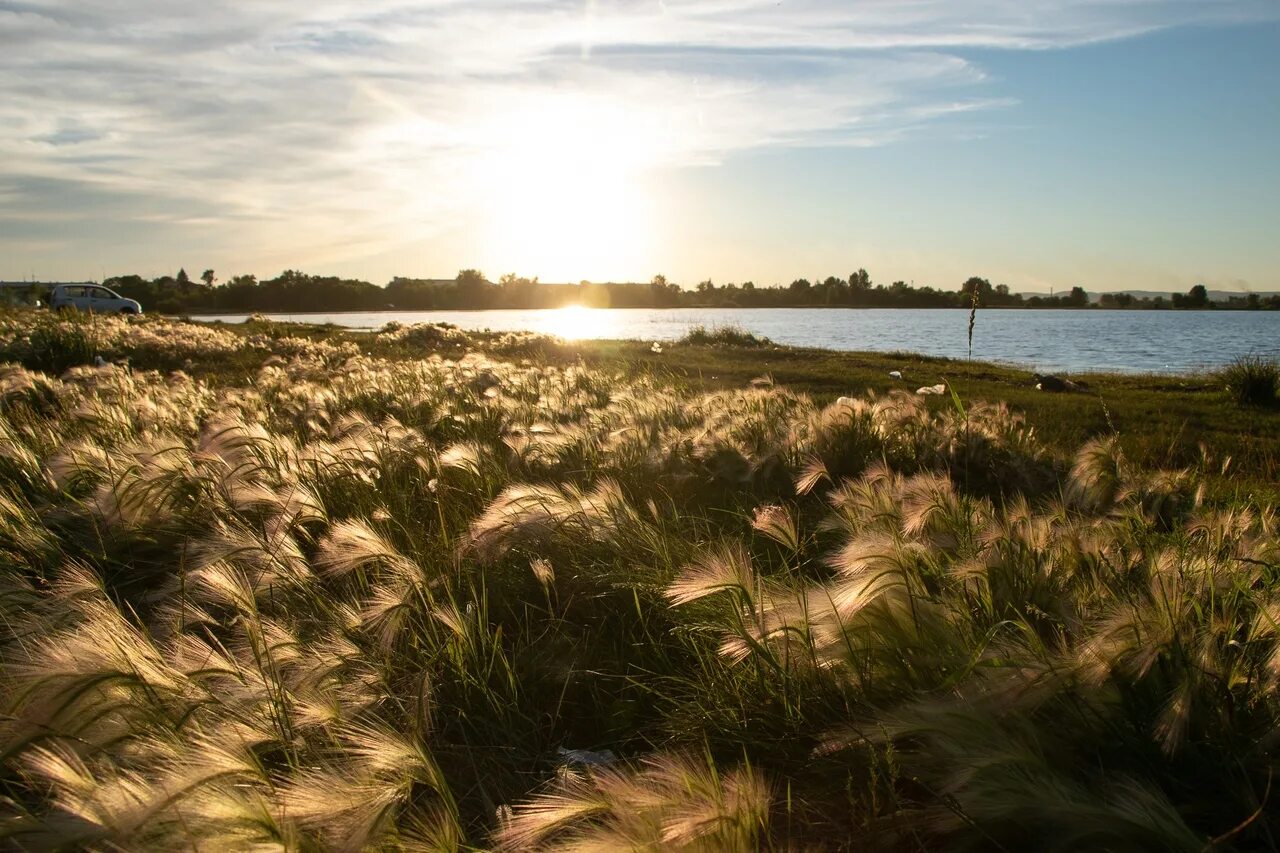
[{"x": 1043, "y": 340}]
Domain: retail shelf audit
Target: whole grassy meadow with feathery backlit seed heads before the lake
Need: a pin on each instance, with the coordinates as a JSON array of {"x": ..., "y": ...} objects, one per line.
[{"x": 294, "y": 589}]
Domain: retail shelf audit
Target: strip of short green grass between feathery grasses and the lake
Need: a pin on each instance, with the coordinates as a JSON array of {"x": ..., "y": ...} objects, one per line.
[{"x": 1159, "y": 421}]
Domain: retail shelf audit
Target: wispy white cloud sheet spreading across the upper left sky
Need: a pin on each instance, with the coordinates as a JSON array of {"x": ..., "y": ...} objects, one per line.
[{"x": 339, "y": 127}]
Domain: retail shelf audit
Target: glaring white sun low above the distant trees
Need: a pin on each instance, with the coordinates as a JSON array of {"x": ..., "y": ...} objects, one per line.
[{"x": 566, "y": 198}]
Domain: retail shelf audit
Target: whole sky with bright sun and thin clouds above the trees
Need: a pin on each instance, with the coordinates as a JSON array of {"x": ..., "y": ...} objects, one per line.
[{"x": 1108, "y": 144}]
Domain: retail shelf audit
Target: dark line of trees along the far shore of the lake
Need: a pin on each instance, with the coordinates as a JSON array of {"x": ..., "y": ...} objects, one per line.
[{"x": 294, "y": 291}]
